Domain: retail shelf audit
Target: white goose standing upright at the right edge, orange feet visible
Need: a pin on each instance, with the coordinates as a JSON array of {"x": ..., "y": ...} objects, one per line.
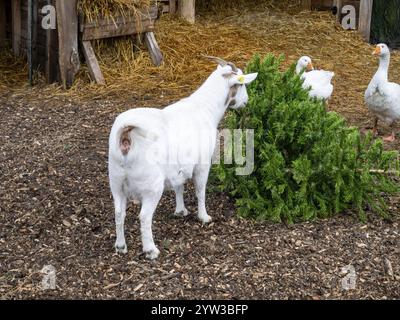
[{"x": 383, "y": 97}]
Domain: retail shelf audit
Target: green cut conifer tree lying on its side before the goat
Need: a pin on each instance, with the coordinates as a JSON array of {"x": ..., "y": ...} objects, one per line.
[{"x": 308, "y": 163}]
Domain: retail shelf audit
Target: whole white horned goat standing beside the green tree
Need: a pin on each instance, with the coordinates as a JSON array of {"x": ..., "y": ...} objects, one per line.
[{"x": 152, "y": 149}]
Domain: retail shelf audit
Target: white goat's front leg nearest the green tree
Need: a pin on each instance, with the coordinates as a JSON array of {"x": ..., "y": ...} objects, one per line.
[{"x": 200, "y": 182}]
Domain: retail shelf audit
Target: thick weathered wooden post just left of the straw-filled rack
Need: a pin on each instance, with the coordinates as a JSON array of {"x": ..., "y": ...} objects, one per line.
[{"x": 67, "y": 23}]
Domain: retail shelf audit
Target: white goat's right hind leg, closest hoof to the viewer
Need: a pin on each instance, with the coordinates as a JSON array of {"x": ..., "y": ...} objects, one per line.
[{"x": 149, "y": 205}]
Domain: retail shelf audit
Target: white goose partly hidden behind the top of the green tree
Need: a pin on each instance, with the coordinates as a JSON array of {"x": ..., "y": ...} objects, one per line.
[{"x": 318, "y": 80}]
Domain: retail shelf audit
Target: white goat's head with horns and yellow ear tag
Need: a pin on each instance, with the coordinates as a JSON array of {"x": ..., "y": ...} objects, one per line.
[{"x": 236, "y": 81}]
